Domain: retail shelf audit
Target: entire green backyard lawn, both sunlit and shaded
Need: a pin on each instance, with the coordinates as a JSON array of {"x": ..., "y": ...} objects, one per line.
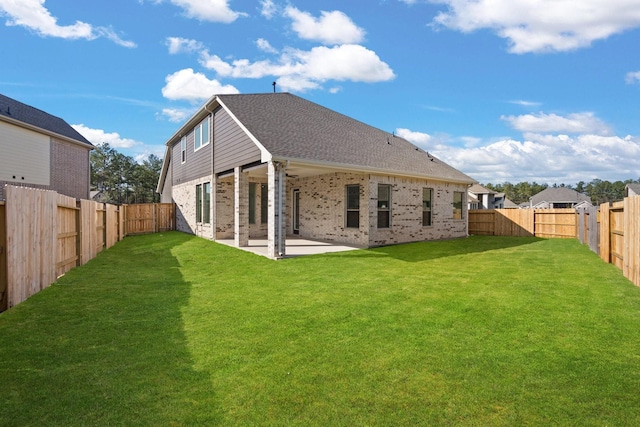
[{"x": 170, "y": 329}]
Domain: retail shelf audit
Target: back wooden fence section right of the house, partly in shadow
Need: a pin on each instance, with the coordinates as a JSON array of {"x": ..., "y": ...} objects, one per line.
[{"x": 554, "y": 223}]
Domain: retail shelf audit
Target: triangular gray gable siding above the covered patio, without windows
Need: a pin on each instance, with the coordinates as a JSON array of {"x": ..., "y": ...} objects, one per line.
[{"x": 232, "y": 146}]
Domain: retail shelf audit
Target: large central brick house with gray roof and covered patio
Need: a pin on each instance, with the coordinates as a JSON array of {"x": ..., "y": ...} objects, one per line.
[{"x": 275, "y": 165}]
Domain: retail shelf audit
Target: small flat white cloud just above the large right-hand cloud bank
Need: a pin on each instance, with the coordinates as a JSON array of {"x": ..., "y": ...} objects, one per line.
[{"x": 552, "y": 123}]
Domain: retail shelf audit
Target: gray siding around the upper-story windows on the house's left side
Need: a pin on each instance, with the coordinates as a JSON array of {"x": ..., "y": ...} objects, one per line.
[{"x": 198, "y": 163}]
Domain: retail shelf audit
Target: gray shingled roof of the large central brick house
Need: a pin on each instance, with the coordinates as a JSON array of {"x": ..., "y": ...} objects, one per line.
[{"x": 290, "y": 127}]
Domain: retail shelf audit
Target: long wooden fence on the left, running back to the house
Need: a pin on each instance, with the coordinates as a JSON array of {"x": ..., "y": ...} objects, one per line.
[{"x": 44, "y": 234}]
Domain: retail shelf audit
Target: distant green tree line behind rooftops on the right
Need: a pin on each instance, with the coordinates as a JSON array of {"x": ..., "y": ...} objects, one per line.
[{"x": 598, "y": 190}]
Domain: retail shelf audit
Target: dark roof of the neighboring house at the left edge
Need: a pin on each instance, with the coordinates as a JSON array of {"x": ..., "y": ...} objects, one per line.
[{"x": 15, "y": 110}]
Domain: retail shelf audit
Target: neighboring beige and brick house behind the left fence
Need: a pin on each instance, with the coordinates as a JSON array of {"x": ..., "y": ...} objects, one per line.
[{"x": 42, "y": 151}]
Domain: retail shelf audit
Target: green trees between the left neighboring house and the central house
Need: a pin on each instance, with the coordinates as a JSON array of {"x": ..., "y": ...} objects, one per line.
[{"x": 120, "y": 179}]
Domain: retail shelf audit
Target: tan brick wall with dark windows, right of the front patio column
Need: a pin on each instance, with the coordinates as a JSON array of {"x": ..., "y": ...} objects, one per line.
[{"x": 322, "y": 209}]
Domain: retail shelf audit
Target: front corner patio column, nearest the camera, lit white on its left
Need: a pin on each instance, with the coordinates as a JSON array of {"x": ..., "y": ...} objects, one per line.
[{"x": 277, "y": 224}]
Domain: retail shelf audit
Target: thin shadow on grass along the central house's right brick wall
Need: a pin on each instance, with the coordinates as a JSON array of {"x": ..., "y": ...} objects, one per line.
[{"x": 424, "y": 251}]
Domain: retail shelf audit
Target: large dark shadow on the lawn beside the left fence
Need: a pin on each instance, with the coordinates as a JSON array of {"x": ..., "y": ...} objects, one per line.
[{"x": 106, "y": 345}]
